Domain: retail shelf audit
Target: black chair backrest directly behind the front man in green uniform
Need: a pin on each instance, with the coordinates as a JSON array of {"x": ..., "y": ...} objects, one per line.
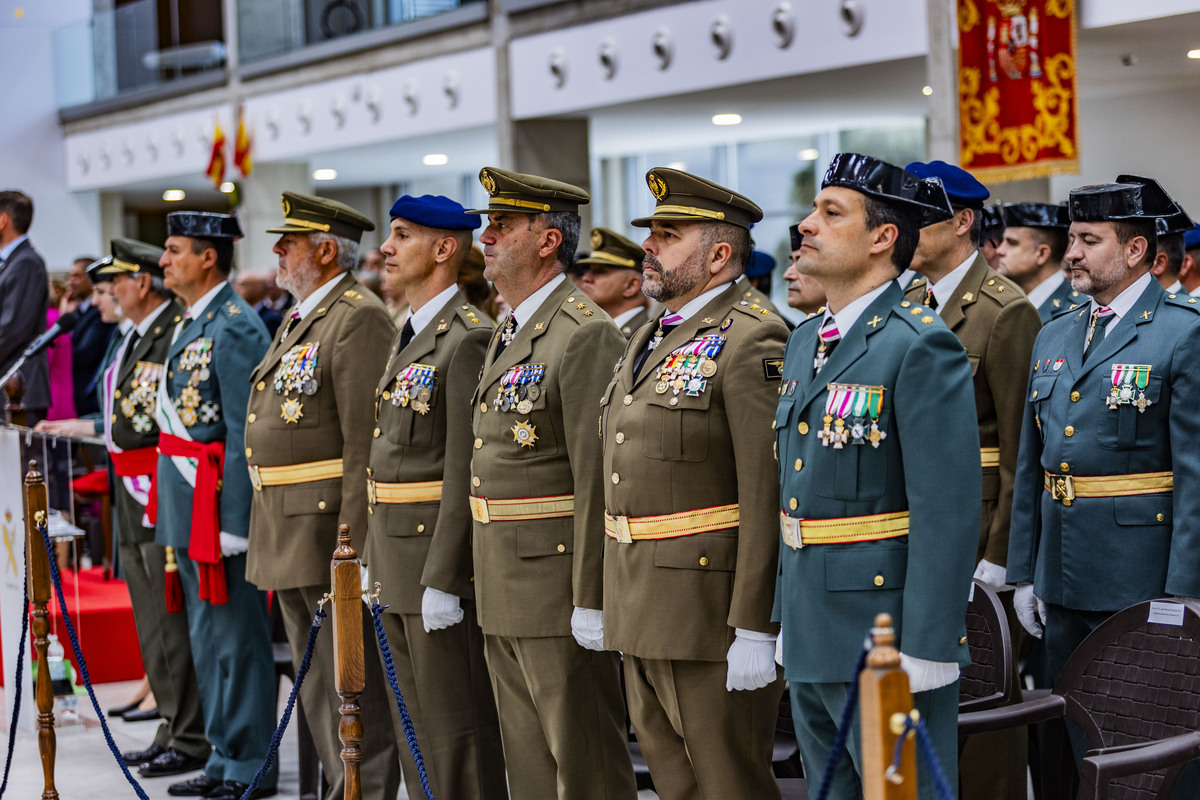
[{"x": 987, "y": 682}]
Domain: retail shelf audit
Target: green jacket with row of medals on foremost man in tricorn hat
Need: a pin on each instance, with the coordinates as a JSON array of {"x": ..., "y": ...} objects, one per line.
[{"x": 928, "y": 465}]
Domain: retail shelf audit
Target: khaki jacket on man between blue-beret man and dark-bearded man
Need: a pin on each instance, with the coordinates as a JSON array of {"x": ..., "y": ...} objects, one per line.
[{"x": 530, "y": 574}]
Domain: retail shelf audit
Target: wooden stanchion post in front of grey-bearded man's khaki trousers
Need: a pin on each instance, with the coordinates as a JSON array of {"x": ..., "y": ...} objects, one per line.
[{"x": 350, "y": 672}]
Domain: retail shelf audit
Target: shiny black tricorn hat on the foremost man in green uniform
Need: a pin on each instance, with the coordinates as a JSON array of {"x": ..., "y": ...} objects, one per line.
[{"x": 926, "y": 199}]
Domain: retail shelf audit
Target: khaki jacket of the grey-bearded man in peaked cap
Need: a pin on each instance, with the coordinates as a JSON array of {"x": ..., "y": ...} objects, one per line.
[{"x": 295, "y": 528}]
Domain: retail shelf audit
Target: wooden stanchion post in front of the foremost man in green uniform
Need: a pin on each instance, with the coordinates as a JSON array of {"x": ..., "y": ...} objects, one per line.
[{"x": 886, "y": 705}]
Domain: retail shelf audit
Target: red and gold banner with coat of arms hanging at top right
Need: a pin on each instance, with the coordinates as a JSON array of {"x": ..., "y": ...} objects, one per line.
[{"x": 1018, "y": 115}]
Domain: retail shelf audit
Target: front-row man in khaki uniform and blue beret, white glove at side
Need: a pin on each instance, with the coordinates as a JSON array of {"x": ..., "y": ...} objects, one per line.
[{"x": 418, "y": 515}]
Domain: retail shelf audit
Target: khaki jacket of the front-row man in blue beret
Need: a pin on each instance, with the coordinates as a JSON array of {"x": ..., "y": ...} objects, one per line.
[{"x": 417, "y": 545}]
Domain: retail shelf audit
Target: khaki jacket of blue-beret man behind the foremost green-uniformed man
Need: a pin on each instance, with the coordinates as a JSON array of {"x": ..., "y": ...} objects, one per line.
[{"x": 997, "y": 324}]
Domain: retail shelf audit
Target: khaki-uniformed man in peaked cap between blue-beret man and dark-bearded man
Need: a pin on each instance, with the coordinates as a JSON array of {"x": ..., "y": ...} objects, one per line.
[{"x": 538, "y": 503}]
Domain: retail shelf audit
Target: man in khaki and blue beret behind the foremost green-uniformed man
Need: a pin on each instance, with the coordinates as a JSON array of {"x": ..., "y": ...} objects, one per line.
[{"x": 997, "y": 326}]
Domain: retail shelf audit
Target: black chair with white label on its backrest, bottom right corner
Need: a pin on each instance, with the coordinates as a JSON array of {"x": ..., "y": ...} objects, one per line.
[{"x": 1133, "y": 690}]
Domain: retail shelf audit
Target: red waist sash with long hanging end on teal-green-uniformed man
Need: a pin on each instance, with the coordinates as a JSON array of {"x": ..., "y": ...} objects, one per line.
[{"x": 205, "y": 546}]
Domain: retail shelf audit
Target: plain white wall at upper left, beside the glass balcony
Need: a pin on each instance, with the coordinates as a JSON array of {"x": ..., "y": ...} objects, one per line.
[{"x": 65, "y": 225}]
